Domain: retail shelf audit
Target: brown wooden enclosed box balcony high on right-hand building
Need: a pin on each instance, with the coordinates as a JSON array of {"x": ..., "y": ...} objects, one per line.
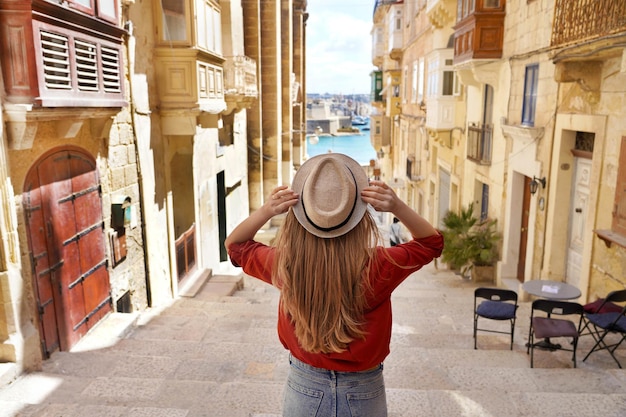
[{"x": 479, "y": 34}]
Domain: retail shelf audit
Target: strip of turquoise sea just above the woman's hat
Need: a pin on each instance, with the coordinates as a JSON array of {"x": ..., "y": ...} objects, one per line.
[{"x": 356, "y": 146}]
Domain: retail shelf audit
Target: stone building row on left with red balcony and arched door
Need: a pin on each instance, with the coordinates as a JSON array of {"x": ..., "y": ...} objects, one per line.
[{"x": 135, "y": 135}]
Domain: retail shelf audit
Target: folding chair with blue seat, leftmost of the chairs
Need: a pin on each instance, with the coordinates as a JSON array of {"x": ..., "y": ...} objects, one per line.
[{"x": 497, "y": 304}]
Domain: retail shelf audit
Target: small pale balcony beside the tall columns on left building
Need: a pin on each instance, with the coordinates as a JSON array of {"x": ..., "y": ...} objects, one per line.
[{"x": 240, "y": 82}]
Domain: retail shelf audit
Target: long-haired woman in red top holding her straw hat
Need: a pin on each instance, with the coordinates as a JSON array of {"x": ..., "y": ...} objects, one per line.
[{"x": 335, "y": 282}]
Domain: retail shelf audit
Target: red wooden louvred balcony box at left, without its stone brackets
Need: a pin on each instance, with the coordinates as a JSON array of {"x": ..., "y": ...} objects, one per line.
[{"x": 55, "y": 57}]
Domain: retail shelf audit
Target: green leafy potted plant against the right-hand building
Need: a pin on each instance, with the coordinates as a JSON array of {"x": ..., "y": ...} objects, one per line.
[{"x": 470, "y": 246}]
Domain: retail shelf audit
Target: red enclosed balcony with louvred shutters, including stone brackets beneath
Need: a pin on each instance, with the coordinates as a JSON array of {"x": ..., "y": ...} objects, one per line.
[{"x": 60, "y": 66}]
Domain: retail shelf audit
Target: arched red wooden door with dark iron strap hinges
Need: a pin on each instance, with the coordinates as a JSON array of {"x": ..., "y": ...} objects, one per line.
[{"x": 63, "y": 209}]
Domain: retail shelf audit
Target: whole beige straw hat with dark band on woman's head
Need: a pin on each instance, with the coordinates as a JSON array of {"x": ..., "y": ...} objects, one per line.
[{"x": 330, "y": 188}]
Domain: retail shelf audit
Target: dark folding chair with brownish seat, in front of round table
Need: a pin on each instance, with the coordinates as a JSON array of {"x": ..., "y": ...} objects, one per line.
[{"x": 547, "y": 327}]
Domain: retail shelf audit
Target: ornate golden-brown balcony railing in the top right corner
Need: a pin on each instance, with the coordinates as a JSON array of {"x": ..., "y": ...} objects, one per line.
[{"x": 577, "y": 20}]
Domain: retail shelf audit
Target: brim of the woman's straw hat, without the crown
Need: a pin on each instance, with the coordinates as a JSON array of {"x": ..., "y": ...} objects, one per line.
[{"x": 361, "y": 181}]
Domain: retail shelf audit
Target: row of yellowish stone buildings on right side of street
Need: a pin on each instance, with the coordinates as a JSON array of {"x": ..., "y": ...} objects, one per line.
[{"x": 537, "y": 131}]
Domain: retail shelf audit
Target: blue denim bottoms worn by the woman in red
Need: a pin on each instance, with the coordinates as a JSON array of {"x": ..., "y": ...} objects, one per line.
[{"x": 315, "y": 392}]
